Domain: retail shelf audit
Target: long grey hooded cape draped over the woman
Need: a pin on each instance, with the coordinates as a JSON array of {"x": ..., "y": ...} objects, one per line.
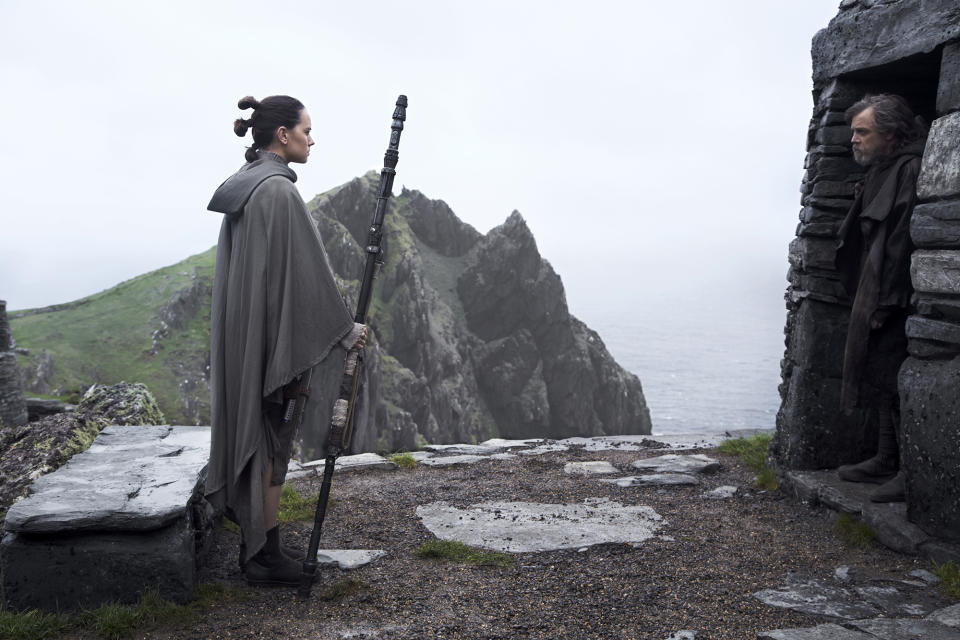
[{"x": 276, "y": 312}]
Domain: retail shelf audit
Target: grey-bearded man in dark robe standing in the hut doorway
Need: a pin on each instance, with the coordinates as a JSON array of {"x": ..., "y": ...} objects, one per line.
[{"x": 873, "y": 259}]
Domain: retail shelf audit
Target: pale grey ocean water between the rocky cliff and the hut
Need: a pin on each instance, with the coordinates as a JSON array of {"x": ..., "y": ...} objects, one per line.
[{"x": 701, "y": 371}]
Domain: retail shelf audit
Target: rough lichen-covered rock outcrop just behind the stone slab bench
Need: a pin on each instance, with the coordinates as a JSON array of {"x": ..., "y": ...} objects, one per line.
[{"x": 32, "y": 450}]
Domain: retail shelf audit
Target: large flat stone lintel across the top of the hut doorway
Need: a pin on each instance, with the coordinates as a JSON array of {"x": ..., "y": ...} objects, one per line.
[{"x": 871, "y": 37}]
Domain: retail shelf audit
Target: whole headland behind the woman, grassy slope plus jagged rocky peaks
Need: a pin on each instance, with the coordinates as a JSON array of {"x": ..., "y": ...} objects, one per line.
[{"x": 472, "y": 335}]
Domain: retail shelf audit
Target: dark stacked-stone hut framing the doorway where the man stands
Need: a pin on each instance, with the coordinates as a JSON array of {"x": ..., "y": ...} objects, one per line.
[{"x": 911, "y": 48}]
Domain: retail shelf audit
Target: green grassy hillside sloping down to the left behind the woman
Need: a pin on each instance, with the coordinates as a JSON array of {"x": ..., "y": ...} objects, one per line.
[{"x": 152, "y": 329}]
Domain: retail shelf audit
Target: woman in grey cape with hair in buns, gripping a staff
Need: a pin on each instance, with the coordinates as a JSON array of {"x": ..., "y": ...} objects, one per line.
[{"x": 276, "y": 312}]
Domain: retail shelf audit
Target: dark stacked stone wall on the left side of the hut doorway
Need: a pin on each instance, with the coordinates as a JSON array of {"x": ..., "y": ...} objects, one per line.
[{"x": 810, "y": 433}]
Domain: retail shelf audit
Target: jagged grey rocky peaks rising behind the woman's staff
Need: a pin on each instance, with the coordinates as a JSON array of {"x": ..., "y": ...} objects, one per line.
[{"x": 474, "y": 332}]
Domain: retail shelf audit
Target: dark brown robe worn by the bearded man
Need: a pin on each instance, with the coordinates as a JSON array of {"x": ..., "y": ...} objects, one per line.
[{"x": 873, "y": 256}]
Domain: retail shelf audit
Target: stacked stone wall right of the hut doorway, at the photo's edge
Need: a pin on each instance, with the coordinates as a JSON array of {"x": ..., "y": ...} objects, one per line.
[{"x": 930, "y": 378}]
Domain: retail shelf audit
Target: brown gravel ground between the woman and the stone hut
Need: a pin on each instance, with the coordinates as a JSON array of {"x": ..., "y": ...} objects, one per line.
[{"x": 721, "y": 552}]
